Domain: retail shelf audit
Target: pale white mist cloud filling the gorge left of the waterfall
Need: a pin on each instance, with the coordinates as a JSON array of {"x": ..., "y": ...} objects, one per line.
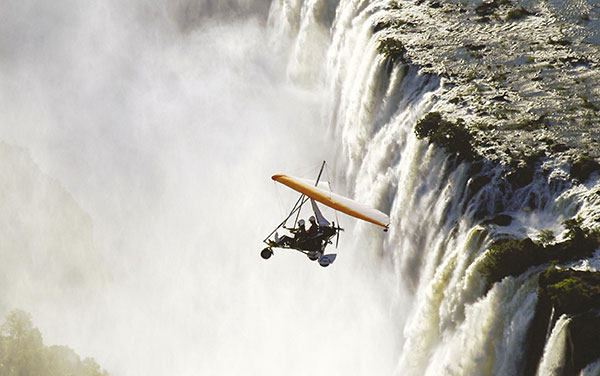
[{"x": 137, "y": 149}]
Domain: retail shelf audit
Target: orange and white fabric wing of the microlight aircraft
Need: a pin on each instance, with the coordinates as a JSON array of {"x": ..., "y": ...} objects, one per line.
[{"x": 335, "y": 201}]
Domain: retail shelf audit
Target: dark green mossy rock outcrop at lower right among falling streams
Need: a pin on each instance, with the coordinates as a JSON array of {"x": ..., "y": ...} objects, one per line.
[{"x": 574, "y": 293}]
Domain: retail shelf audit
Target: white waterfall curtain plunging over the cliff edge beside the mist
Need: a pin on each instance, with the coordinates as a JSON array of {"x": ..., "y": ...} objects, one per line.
[{"x": 440, "y": 225}]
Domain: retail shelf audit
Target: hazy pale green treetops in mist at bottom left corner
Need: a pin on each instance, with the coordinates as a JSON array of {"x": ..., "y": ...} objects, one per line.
[{"x": 22, "y": 352}]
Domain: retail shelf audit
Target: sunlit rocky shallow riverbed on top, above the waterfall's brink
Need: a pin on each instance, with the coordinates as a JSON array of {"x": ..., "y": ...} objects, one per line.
[{"x": 524, "y": 75}]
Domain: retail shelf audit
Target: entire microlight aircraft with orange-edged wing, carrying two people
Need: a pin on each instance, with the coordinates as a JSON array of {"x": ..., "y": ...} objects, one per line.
[{"x": 314, "y": 245}]
